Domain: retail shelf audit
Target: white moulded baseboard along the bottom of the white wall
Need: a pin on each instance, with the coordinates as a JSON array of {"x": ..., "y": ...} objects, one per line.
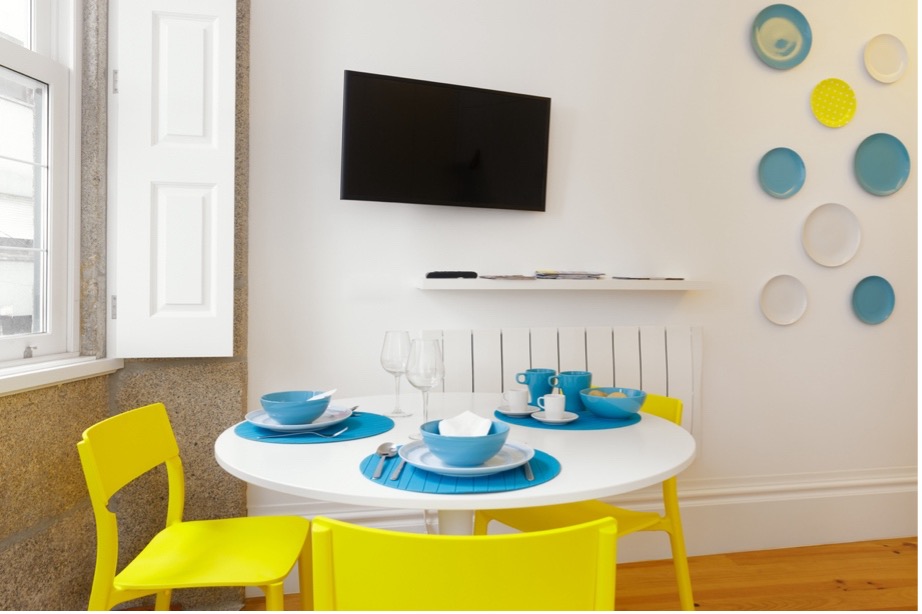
[{"x": 719, "y": 515}]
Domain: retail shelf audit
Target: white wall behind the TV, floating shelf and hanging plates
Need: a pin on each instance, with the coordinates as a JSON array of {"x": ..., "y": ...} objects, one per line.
[{"x": 660, "y": 114}]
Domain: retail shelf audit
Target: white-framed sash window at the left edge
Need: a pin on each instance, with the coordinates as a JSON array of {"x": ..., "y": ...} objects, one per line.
[{"x": 37, "y": 162}]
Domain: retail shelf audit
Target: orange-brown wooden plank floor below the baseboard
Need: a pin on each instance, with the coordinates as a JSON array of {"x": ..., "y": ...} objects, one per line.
[{"x": 872, "y": 575}]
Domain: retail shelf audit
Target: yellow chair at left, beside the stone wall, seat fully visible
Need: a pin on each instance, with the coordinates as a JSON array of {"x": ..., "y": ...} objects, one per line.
[{"x": 255, "y": 551}]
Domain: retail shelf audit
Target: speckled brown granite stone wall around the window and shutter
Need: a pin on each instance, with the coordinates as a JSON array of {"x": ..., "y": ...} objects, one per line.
[{"x": 47, "y": 531}]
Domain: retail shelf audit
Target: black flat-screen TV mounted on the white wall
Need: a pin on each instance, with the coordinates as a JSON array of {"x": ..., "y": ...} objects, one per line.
[{"x": 413, "y": 141}]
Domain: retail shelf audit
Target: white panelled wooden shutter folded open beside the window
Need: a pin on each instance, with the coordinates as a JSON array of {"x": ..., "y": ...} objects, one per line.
[{"x": 171, "y": 177}]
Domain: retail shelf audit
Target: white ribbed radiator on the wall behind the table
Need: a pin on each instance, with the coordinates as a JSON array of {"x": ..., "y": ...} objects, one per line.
[{"x": 659, "y": 359}]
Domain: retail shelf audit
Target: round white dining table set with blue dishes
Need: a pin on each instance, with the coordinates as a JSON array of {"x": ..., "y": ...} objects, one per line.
[{"x": 594, "y": 463}]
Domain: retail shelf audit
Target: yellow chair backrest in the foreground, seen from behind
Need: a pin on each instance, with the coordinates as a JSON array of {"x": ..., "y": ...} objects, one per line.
[{"x": 358, "y": 568}]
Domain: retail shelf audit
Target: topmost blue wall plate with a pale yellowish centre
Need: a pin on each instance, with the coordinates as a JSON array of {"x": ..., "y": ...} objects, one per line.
[{"x": 781, "y": 36}]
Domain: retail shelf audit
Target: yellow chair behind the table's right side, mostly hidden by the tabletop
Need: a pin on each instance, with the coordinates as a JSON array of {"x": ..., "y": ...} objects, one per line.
[{"x": 629, "y": 521}]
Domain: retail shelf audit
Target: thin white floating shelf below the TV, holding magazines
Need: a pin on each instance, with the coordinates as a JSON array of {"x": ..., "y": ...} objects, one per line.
[{"x": 563, "y": 284}]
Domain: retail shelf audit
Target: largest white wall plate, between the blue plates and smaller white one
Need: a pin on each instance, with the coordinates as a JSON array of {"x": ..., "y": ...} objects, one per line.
[{"x": 831, "y": 234}]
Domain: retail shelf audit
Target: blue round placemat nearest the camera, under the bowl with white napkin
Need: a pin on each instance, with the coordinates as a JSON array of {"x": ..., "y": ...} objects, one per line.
[{"x": 543, "y": 465}]
